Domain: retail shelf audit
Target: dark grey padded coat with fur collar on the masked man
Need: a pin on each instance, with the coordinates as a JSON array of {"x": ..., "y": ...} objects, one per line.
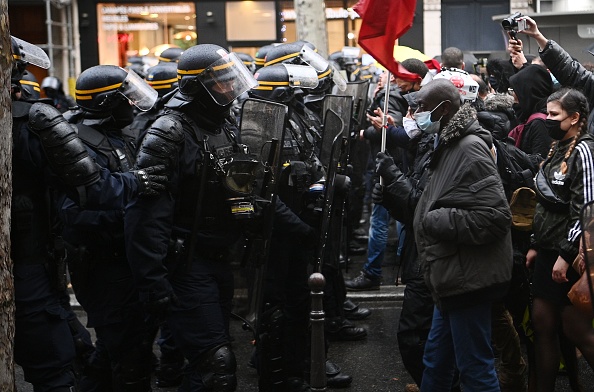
[{"x": 462, "y": 220}]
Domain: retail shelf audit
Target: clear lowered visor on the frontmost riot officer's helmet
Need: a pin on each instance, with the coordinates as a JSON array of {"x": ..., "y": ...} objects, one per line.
[{"x": 226, "y": 79}]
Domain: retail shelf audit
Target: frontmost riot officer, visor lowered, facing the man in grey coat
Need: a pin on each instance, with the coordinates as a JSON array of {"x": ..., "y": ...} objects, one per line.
[{"x": 179, "y": 244}]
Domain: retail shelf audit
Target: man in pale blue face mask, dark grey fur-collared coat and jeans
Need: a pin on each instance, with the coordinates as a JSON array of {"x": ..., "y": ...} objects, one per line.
[{"x": 461, "y": 144}]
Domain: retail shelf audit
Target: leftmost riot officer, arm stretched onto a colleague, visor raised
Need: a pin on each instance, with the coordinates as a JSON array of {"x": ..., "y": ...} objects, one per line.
[{"x": 47, "y": 156}]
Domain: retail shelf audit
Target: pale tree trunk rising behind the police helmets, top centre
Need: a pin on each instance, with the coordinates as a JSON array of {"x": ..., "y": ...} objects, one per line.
[{"x": 311, "y": 24}]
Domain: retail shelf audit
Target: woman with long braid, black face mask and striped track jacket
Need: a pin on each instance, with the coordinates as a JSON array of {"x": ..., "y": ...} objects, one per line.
[{"x": 564, "y": 184}]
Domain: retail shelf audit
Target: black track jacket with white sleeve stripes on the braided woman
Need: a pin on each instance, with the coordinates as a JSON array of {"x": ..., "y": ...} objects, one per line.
[{"x": 560, "y": 229}]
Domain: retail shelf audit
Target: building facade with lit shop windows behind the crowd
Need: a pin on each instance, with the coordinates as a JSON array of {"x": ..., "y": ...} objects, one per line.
[{"x": 79, "y": 34}]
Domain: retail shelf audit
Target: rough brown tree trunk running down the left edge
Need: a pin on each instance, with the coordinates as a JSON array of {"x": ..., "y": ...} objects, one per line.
[{"x": 7, "y": 382}]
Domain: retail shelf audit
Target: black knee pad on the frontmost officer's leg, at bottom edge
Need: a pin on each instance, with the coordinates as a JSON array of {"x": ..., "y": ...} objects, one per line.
[{"x": 217, "y": 369}]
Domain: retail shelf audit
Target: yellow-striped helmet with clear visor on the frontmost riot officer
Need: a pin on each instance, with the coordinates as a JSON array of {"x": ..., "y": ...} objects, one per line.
[{"x": 209, "y": 72}]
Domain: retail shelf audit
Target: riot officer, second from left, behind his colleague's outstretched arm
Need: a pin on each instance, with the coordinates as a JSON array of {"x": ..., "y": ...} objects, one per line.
[{"x": 99, "y": 271}]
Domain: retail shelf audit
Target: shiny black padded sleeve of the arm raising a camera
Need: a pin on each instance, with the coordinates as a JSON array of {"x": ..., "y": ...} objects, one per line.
[{"x": 569, "y": 73}]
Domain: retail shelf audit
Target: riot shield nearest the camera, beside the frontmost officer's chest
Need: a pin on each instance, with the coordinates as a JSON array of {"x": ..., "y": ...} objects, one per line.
[{"x": 262, "y": 130}]
